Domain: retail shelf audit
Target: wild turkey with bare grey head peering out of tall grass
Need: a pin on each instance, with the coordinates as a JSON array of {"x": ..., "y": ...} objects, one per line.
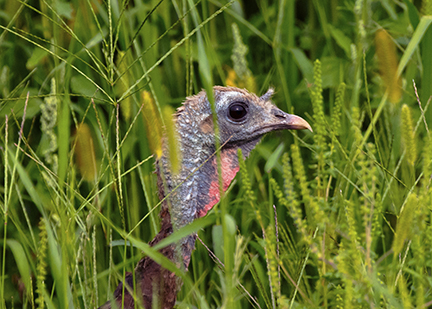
[{"x": 243, "y": 118}]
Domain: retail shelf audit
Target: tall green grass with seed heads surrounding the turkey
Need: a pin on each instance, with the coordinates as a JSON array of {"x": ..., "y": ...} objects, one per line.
[{"x": 340, "y": 218}]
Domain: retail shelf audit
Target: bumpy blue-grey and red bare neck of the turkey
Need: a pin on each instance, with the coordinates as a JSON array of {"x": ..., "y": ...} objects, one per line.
[{"x": 194, "y": 190}]
